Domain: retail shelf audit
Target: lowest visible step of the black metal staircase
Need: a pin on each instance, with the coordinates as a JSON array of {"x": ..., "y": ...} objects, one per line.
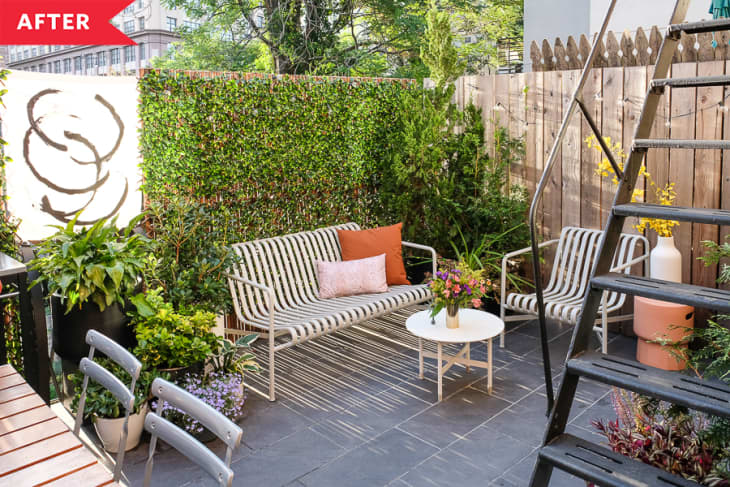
[{"x": 604, "y": 467}]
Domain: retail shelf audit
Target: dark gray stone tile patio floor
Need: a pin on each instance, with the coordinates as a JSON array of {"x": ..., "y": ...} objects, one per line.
[{"x": 351, "y": 411}]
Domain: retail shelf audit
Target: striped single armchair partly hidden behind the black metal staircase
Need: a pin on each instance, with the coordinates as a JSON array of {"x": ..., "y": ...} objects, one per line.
[{"x": 569, "y": 279}]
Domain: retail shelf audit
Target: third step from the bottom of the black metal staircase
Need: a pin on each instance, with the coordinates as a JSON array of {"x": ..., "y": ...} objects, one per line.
[{"x": 701, "y": 297}]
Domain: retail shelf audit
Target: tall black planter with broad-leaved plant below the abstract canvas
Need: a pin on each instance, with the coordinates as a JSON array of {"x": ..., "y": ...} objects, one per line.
[{"x": 90, "y": 273}]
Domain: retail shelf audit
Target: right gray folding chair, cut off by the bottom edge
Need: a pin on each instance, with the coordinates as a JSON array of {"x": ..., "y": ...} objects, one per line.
[{"x": 222, "y": 427}]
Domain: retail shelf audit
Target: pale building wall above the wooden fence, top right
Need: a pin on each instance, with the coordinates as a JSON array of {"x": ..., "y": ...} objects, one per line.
[{"x": 548, "y": 19}]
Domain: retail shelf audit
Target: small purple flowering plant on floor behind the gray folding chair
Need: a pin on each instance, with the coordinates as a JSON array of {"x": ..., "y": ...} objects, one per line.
[{"x": 221, "y": 390}]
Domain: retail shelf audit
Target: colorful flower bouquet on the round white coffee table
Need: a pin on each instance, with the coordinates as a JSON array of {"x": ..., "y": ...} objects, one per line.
[{"x": 458, "y": 288}]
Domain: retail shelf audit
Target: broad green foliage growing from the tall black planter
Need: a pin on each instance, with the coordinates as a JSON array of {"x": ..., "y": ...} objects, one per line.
[{"x": 100, "y": 263}]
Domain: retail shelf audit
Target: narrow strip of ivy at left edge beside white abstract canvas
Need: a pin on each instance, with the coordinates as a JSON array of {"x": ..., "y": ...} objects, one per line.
[{"x": 8, "y": 245}]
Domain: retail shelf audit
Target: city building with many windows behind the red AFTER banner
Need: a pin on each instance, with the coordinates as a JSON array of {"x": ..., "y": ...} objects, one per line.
[{"x": 147, "y": 22}]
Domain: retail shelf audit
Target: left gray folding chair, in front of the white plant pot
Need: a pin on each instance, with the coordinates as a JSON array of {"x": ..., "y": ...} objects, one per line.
[{"x": 123, "y": 393}]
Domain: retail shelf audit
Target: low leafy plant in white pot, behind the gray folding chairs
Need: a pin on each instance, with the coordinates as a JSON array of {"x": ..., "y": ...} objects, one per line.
[{"x": 102, "y": 403}]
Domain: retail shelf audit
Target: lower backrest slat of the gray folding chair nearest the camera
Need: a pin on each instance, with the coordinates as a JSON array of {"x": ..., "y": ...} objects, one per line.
[{"x": 190, "y": 447}]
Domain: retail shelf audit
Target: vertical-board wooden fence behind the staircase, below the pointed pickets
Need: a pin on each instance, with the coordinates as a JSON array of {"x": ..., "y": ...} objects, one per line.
[{"x": 532, "y": 104}]
